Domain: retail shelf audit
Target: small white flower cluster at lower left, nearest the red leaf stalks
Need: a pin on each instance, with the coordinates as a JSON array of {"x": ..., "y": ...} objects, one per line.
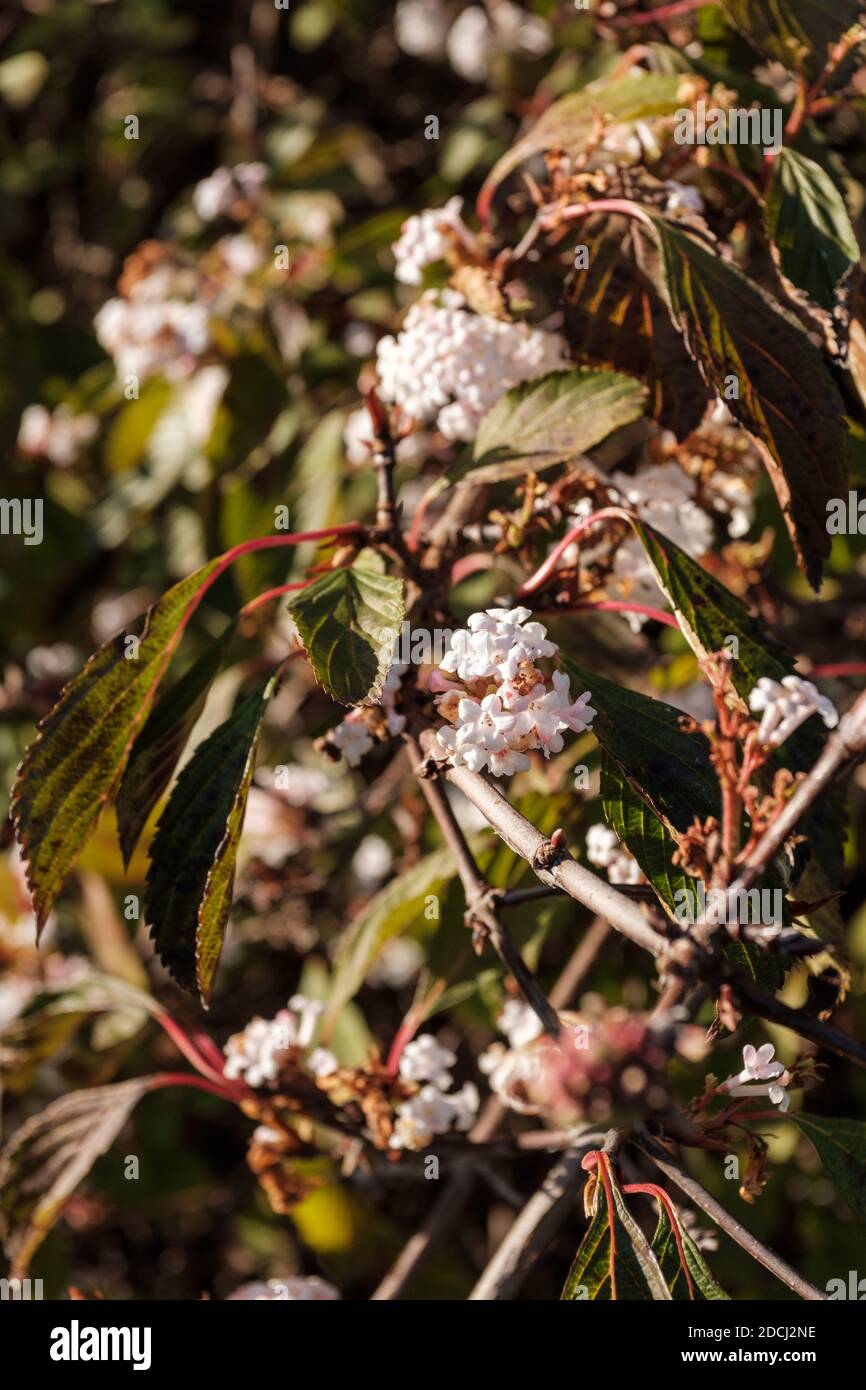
[{"x": 258, "y": 1054}]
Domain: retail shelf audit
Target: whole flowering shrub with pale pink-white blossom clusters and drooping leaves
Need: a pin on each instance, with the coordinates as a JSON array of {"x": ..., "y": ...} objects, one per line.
[{"x": 484, "y": 775}]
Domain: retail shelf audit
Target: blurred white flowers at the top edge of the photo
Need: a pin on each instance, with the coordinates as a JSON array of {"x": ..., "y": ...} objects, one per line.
[{"x": 425, "y": 30}]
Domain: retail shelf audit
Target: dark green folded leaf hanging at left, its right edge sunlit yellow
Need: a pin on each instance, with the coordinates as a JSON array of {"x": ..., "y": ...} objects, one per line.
[{"x": 194, "y": 851}]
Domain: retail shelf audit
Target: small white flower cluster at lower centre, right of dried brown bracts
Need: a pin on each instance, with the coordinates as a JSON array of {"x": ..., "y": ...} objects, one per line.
[{"x": 432, "y": 1111}]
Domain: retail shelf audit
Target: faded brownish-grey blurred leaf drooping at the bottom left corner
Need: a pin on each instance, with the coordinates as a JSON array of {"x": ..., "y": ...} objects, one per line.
[{"x": 48, "y": 1157}]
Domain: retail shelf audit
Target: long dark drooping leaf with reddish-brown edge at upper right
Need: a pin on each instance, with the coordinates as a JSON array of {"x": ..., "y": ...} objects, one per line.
[{"x": 787, "y": 398}]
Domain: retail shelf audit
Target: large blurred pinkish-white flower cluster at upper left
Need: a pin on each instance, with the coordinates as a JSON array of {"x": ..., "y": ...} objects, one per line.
[{"x": 152, "y": 330}]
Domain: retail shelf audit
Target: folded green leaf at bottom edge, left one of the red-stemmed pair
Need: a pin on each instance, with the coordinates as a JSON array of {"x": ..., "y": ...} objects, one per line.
[{"x": 636, "y": 1270}]
